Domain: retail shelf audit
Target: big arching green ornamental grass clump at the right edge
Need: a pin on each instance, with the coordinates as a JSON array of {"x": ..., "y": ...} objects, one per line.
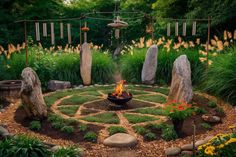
[{"x": 220, "y": 78}]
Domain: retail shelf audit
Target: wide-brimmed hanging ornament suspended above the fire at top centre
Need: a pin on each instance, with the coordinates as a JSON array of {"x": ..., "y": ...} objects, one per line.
[{"x": 118, "y": 24}]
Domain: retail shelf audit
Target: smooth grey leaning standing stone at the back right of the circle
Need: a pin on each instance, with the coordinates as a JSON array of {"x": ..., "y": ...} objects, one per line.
[{"x": 150, "y": 65}]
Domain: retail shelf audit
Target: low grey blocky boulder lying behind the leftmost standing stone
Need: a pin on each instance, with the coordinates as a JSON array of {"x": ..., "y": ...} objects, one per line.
[{"x": 54, "y": 85}]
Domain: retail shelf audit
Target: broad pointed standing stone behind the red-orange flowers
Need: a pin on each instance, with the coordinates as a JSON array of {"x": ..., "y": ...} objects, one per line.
[{"x": 181, "y": 84}]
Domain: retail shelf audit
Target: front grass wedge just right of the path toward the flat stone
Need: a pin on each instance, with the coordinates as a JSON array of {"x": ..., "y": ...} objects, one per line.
[{"x": 138, "y": 118}]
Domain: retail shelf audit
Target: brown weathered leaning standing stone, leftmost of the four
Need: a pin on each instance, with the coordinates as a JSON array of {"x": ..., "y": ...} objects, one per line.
[{"x": 31, "y": 95}]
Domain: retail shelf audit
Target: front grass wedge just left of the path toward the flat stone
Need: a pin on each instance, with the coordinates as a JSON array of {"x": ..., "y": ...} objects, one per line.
[{"x": 109, "y": 118}]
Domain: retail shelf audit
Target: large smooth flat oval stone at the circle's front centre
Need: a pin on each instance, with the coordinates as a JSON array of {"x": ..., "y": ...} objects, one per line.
[{"x": 120, "y": 140}]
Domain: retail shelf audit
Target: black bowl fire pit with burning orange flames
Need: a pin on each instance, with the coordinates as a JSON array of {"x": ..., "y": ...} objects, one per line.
[{"x": 119, "y": 97}]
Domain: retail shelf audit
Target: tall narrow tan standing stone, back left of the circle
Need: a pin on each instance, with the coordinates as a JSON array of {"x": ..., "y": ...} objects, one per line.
[{"x": 85, "y": 64}]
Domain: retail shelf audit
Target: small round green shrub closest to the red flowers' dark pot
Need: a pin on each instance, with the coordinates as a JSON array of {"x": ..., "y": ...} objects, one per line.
[{"x": 168, "y": 133}]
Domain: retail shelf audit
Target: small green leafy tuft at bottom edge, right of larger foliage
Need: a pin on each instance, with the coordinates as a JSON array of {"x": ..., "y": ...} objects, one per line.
[{"x": 66, "y": 152}]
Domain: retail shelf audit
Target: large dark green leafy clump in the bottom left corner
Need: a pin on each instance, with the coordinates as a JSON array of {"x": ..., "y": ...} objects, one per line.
[{"x": 23, "y": 146}]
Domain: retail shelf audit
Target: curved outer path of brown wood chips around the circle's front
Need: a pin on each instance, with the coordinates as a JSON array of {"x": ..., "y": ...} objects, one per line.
[{"x": 143, "y": 149}]
